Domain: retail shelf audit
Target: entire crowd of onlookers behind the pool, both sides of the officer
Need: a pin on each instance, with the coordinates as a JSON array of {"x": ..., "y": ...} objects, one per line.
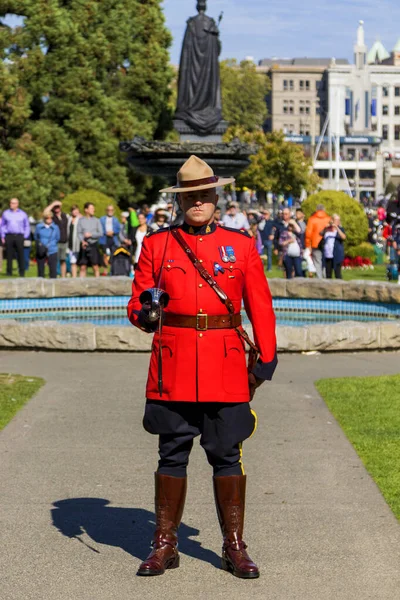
[{"x": 71, "y": 243}]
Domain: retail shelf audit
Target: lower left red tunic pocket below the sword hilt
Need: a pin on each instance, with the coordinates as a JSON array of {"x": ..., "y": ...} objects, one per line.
[{"x": 168, "y": 364}]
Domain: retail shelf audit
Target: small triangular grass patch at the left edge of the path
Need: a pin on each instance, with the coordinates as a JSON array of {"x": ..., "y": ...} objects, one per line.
[{"x": 15, "y": 391}]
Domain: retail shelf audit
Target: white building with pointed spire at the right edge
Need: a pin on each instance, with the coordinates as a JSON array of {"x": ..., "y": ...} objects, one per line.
[{"x": 364, "y": 104}]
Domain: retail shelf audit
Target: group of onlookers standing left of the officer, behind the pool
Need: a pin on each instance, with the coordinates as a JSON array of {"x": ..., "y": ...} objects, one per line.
[{"x": 68, "y": 244}]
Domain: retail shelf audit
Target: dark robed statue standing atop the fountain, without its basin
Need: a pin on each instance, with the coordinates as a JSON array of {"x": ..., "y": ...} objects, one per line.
[{"x": 199, "y": 89}]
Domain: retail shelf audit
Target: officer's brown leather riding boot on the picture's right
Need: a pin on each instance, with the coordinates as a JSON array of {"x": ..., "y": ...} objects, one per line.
[{"x": 230, "y": 494}]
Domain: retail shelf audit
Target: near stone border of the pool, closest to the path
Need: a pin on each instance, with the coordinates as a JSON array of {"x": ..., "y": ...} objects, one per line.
[{"x": 48, "y": 335}]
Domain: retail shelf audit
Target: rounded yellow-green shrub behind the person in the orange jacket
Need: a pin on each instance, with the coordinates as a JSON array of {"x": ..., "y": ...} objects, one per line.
[{"x": 353, "y": 217}]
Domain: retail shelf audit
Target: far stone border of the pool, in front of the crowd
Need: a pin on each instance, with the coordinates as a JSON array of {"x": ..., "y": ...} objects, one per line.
[{"x": 364, "y": 291}]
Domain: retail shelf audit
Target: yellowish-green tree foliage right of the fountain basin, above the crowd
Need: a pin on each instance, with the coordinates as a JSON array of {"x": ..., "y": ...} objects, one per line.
[{"x": 277, "y": 166}]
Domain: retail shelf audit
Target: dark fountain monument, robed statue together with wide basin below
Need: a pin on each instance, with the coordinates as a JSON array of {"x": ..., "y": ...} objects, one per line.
[{"x": 198, "y": 117}]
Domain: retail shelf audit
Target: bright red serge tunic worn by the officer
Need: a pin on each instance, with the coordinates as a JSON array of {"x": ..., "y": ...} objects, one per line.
[{"x": 205, "y": 366}]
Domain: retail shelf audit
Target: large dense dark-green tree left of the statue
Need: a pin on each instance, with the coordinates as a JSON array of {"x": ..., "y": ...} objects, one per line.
[{"x": 79, "y": 77}]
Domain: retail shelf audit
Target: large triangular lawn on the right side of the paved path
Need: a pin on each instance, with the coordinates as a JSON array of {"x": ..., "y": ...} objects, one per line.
[{"x": 368, "y": 410}]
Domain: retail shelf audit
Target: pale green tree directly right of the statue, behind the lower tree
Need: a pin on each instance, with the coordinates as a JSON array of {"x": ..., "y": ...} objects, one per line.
[{"x": 243, "y": 94}]
